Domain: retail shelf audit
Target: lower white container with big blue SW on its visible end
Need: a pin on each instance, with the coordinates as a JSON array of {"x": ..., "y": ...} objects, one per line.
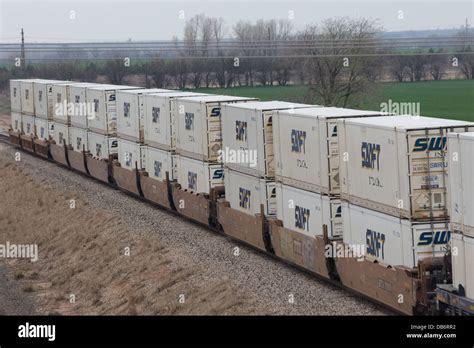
[{"x": 392, "y": 240}]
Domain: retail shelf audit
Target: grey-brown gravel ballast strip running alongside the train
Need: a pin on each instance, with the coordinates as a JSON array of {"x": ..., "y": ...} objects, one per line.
[{"x": 272, "y": 286}]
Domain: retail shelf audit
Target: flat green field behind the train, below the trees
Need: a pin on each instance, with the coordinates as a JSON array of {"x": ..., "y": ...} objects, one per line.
[{"x": 449, "y": 99}]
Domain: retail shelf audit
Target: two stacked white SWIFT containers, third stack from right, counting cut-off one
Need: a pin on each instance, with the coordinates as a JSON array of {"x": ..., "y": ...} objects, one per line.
[{"x": 307, "y": 168}]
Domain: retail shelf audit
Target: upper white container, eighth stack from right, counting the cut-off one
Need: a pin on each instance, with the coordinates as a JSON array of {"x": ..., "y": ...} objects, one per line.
[{"x": 104, "y": 117}]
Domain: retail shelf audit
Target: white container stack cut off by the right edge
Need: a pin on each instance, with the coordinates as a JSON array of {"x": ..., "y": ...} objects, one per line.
[{"x": 461, "y": 199}]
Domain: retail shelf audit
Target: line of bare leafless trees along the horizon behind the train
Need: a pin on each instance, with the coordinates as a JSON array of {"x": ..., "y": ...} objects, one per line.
[{"x": 339, "y": 59}]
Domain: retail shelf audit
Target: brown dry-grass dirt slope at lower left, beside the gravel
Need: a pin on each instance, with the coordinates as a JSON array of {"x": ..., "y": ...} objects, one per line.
[{"x": 91, "y": 262}]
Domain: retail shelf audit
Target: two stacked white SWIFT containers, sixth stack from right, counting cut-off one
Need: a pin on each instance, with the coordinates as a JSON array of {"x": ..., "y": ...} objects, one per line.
[{"x": 159, "y": 133}]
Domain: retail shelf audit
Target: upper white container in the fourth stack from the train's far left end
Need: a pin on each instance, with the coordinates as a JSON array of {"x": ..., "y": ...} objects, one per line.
[{"x": 60, "y": 100}]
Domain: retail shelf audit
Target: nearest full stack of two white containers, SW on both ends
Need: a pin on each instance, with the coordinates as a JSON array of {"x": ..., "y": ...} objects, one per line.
[{"x": 393, "y": 181}]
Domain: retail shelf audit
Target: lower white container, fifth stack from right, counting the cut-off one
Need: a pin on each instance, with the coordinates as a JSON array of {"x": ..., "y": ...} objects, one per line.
[{"x": 198, "y": 176}]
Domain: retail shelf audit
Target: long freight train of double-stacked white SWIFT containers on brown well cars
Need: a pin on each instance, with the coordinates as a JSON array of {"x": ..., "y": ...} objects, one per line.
[{"x": 362, "y": 199}]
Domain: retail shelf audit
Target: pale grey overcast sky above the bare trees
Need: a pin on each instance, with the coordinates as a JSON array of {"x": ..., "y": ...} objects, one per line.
[{"x": 53, "y": 21}]
